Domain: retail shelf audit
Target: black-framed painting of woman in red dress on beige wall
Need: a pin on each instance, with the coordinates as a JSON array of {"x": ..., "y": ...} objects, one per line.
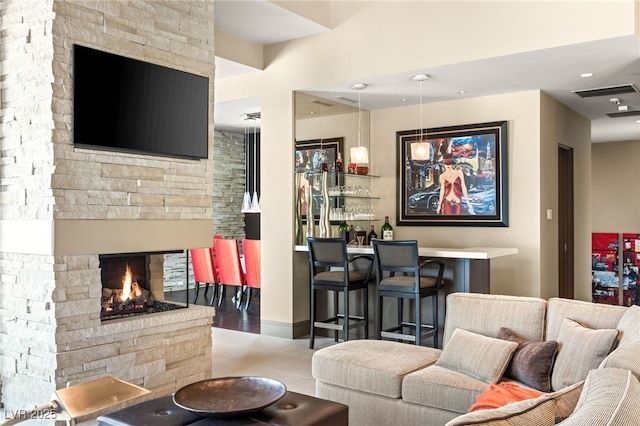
[{"x": 470, "y": 159}]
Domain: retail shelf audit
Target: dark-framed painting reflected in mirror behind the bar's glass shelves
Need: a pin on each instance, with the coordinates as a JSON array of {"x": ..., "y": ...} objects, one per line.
[{"x": 309, "y": 156}]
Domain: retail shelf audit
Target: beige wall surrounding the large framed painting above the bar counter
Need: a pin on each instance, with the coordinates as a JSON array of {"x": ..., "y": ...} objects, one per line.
[{"x": 515, "y": 274}]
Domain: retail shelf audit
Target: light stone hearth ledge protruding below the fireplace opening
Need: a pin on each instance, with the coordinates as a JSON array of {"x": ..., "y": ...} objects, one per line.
[{"x": 161, "y": 352}]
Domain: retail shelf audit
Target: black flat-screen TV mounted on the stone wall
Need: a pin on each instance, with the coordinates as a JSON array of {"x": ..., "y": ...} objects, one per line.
[{"x": 128, "y": 105}]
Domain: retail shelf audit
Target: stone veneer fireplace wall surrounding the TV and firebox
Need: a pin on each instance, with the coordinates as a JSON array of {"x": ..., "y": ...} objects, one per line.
[{"x": 61, "y": 207}]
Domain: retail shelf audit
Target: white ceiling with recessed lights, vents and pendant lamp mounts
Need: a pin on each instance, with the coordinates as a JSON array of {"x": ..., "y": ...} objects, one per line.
[{"x": 555, "y": 71}]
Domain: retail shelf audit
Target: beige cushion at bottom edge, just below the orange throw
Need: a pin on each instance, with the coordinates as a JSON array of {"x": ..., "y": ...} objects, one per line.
[{"x": 540, "y": 411}]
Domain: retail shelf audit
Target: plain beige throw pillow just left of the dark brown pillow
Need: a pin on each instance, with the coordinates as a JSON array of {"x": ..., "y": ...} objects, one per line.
[{"x": 484, "y": 358}]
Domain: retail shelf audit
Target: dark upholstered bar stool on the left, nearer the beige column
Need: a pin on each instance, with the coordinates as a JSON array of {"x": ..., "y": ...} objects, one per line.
[{"x": 325, "y": 254}]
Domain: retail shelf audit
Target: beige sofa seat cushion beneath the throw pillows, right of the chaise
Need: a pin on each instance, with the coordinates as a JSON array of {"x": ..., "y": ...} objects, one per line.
[{"x": 442, "y": 388}]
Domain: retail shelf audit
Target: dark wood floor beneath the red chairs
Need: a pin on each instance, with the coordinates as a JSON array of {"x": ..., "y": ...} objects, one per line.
[{"x": 227, "y": 316}]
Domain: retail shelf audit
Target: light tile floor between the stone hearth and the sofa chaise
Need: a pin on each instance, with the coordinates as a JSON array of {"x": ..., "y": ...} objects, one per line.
[{"x": 237, "y": 353}]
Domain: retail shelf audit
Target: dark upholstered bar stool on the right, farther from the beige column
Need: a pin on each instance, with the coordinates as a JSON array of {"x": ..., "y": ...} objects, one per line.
[{"x": 398, "y": 275}]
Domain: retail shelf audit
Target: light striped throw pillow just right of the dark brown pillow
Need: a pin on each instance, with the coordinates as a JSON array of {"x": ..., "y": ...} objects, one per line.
[{"x": 580, "y": 349}]
